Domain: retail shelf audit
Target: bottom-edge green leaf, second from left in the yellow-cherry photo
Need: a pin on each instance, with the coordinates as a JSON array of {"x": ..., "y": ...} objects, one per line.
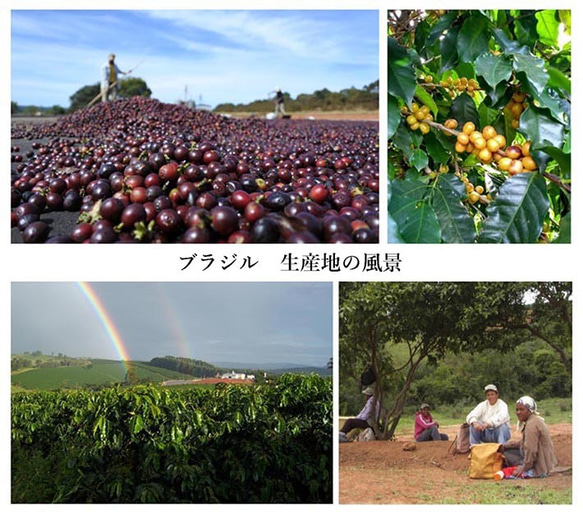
[{"x": 456, "y": 223}]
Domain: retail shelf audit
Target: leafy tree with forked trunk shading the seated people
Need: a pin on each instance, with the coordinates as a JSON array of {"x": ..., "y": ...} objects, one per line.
[{"x": 395, "y": 327}]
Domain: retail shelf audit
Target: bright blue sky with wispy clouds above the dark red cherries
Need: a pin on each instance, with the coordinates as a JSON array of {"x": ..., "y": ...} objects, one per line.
[{"x": 223, "y": 56}]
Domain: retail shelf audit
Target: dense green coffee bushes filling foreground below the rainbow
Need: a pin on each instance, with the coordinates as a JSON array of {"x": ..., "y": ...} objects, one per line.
[{"x": 232, "y": 444}]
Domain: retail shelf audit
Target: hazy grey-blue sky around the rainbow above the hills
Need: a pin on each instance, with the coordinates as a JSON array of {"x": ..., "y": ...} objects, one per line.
[{"x": 242, "y": 322}]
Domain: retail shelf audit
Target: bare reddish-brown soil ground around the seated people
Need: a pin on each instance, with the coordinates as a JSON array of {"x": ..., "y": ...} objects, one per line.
[{"x": 381, "y": 472}]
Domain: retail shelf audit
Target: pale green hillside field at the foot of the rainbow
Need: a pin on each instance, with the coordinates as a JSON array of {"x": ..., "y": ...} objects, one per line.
[{"x": 99, "y": 372}]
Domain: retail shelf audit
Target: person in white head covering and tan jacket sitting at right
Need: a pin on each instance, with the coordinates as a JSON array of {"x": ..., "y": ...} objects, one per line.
[{"x": 536, "y": 445}]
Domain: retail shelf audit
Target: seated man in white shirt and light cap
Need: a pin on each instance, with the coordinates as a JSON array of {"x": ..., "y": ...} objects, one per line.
[{"x": 489, "y": 421}]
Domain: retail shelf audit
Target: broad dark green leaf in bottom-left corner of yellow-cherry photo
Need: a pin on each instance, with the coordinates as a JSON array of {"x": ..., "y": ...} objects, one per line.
[{"x": 416, "y": 220}]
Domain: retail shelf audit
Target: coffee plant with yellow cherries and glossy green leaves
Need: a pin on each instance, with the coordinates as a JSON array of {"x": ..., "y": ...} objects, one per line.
[{"x": 479, "y": 108}]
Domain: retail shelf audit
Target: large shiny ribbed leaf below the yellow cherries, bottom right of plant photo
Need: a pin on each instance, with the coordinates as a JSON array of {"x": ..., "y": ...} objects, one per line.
[{"x": 518, "y": 212}]
